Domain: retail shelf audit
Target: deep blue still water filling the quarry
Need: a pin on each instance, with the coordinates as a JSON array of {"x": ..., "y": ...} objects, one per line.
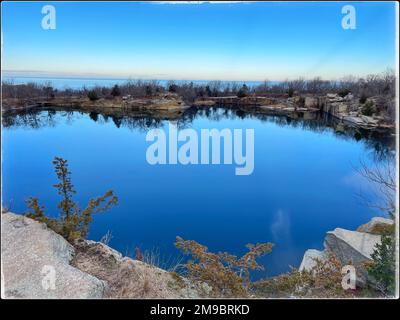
[{"x": 304, "y": 183}]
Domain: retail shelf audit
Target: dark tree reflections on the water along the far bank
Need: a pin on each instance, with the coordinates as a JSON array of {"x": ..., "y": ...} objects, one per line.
[{"x": 381, "y": 144}]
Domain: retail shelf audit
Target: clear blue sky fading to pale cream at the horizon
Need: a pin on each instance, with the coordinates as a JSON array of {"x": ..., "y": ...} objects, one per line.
[{"x": 202, "y": 41}]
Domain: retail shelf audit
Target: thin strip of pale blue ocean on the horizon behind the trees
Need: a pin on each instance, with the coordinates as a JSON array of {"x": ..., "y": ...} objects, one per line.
[{"x": 78, "y": 83}]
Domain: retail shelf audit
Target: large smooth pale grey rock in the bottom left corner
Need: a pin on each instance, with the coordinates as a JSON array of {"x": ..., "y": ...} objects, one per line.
[{"x": 35, "y": 263}]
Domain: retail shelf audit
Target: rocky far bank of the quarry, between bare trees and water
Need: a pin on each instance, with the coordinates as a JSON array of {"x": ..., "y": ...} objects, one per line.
[{"x": 346, "y": 110}]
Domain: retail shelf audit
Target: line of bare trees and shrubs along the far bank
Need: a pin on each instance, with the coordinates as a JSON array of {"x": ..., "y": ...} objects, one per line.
[{"x": 372, "y": 85}]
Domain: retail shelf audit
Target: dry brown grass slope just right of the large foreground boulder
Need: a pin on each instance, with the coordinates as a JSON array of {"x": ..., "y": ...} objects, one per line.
[{"x": 129, "y": 278}]
